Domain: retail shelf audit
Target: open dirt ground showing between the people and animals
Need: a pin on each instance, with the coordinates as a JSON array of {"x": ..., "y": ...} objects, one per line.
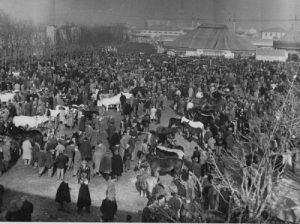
[{"x": 24, "y": 181}]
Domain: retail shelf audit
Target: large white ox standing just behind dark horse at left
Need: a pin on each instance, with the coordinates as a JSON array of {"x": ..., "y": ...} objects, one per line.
[{"x": 31, "y": 122}]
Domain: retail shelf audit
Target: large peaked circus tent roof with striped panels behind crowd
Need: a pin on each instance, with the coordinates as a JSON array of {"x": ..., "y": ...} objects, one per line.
[{"x": 213, "y": 37}]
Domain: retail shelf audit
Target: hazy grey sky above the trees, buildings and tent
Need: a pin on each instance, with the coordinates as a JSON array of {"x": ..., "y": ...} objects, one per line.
[{"x": 257, "y": 14}]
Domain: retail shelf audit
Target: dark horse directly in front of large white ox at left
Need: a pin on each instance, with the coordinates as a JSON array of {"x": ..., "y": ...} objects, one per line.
[{"x": 19, "y": 134}]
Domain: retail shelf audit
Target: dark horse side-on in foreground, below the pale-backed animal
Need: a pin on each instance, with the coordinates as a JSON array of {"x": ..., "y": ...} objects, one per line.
[{"x": 164, "y": 165}]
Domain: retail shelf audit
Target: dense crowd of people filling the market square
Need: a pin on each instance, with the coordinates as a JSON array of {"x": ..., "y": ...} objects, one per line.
[{"x": 249, "y": 89}]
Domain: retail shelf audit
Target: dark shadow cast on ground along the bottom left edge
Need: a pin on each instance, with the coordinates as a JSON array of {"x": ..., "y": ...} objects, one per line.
[{"x": 46, "y": 209}]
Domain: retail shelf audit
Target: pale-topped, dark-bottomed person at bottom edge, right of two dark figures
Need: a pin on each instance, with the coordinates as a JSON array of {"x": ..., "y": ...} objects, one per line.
[{"x": 109, "y": 205}]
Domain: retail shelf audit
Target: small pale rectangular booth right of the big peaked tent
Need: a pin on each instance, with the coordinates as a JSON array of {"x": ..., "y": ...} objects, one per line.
[{"x": 266, "y": 54}]
